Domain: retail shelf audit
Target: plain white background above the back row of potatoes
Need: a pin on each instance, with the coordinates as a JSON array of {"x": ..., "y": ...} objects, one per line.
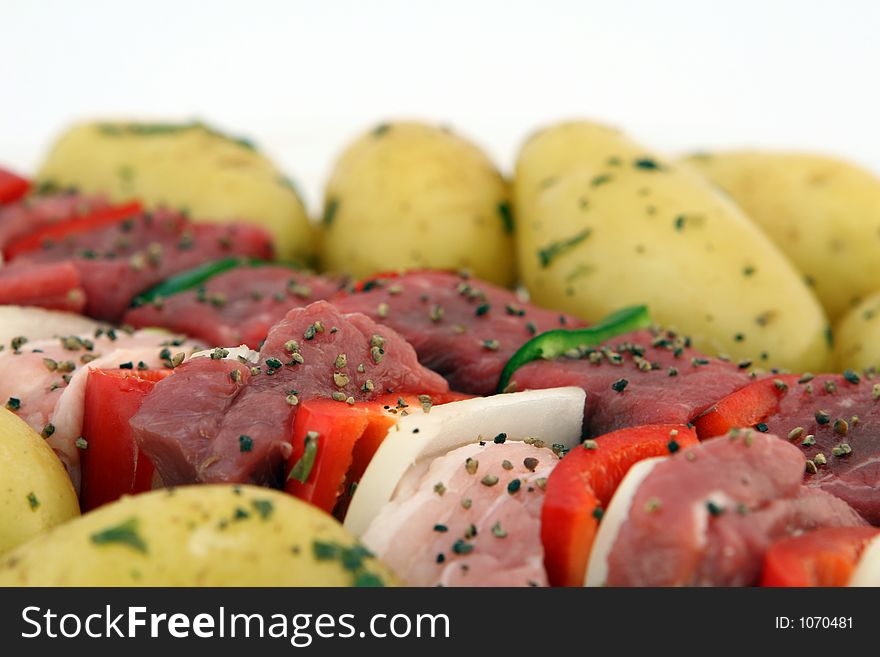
[{"x": 303, "y": 77}]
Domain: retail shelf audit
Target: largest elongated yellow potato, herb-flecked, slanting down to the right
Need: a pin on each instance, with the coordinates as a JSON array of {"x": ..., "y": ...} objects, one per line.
[{"x": 604, "y": 223}]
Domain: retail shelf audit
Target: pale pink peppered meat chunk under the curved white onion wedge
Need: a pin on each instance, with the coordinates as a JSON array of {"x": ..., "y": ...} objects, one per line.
[{"x": 457, "y": 520}]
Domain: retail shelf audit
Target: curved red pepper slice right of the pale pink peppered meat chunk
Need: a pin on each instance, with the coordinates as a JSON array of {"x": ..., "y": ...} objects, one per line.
[{"x": 582, "y": 485}]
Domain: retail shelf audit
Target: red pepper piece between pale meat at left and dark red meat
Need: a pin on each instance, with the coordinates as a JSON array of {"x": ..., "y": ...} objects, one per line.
[{"x": 112, "y": 464}]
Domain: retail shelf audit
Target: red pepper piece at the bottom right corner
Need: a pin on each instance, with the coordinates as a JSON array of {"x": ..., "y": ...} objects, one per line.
[{"x": 824, "y": 557}]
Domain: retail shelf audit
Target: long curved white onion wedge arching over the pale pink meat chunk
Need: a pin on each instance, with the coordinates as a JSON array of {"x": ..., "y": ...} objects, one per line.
[{"x": 554, "y": 416}]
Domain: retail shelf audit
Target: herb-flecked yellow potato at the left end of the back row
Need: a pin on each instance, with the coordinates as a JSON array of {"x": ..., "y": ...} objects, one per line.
[{"x": 189, "y": 166}]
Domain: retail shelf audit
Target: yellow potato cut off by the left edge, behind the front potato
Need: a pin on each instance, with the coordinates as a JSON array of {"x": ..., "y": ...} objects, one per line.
[{"x": 35, "y": 491}]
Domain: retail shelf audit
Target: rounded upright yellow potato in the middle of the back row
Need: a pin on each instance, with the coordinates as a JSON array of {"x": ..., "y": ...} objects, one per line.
[{"x": 408, "y": 195}]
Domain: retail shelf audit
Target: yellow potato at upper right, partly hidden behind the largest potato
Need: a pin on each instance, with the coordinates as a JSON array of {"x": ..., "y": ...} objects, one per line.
[{"x": 823, "y": 213}]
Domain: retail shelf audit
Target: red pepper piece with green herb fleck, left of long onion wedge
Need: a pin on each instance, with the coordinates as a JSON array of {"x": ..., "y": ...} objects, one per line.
[{"x": 347, "y": 438}]
